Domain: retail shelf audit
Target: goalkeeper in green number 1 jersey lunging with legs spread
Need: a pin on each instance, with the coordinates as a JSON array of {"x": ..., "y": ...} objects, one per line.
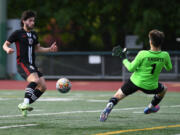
[{"x": 146, "y": 68}]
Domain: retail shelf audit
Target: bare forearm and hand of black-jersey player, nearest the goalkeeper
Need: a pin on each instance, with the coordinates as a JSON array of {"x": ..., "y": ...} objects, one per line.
[{"x": 52, "y": 48}]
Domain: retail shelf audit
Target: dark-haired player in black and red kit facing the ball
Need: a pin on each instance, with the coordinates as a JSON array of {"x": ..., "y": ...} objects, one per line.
[{"x": 27, "y": 44}]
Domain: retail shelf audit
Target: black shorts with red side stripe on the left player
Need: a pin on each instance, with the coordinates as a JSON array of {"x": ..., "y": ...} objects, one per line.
[{"x": 25, "y": 70}]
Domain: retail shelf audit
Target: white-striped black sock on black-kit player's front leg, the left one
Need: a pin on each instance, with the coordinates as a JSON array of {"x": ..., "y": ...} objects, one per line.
[{"x": 29, "y": 93}]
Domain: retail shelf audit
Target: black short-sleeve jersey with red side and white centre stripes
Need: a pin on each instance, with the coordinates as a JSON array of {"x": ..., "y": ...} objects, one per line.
[{"x": 25, "y": 45}]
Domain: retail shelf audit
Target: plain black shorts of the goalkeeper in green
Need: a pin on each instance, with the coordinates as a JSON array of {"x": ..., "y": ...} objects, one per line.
[{"x": 129, "y": 88}]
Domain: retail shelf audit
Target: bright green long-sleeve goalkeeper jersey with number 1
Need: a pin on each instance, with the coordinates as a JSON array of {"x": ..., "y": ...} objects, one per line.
[{"x": 146, "y": 68}]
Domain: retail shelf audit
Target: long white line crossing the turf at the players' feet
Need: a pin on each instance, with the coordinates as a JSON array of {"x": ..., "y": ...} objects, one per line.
[{"x": 74, "y": 112}]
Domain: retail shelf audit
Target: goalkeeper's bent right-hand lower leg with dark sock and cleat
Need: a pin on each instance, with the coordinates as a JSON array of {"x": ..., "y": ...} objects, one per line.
[{"x": 153, "y": 106}]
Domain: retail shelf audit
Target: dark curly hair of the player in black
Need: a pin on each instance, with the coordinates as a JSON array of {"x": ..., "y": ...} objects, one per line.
[{"x": 27, "y": 14}]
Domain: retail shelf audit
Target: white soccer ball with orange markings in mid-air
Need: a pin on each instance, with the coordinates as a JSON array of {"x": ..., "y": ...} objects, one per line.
[{"x": 63, "y": 85}]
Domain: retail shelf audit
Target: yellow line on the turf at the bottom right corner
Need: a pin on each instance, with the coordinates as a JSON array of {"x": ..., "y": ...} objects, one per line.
[{"x": 134, "y": 130}]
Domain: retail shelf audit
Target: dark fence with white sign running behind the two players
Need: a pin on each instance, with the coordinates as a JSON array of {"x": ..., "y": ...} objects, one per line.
[{"x": 94, "y": 65}]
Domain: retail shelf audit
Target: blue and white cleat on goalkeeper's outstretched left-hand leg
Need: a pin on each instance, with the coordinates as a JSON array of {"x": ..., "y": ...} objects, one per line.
[{"x": 106, "y": 112}]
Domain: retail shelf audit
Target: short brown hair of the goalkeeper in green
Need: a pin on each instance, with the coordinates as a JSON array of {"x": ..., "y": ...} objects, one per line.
[{"x": 156, "y": 37}]
